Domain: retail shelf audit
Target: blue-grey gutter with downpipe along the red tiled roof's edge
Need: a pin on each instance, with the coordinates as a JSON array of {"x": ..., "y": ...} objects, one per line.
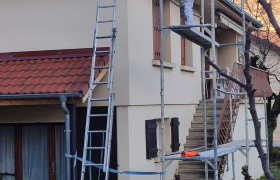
[{"x": 63, "y": 99}]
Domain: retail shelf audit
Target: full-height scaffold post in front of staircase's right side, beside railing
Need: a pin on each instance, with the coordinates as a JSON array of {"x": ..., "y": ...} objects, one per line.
[{"x": 213, "y": 52}]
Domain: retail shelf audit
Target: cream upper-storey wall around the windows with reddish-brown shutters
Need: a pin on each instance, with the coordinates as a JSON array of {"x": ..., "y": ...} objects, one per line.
[{"x": 144, "y": 79}]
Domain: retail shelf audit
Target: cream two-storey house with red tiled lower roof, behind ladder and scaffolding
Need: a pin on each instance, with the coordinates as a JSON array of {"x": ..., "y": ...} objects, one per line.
[{"x": 45, "y": 60}]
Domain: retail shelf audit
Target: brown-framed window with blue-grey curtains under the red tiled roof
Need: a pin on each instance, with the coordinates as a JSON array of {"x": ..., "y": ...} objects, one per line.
[{"x": 43, "y": 145}]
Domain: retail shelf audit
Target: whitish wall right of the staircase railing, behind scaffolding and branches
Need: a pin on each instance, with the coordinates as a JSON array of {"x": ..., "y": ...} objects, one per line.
[{"x": 255, "y": 167}]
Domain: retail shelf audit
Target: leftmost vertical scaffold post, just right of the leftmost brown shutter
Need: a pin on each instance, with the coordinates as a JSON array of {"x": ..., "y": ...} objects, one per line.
[{"x": 162, "y": 88}]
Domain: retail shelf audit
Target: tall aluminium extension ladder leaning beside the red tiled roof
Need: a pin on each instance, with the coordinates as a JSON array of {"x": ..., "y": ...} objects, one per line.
[{"x": 108, "y": 131}]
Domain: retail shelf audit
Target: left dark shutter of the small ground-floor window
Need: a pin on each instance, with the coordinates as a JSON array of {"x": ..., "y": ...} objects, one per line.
[{"x": 151, "y": 138}]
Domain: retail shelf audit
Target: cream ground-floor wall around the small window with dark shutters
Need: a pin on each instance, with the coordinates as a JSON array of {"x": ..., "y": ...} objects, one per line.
[{"x": 132, "y": 138}]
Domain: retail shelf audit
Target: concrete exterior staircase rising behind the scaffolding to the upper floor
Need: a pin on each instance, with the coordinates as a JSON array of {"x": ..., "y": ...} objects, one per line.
[{"x": 194, "y": 170}]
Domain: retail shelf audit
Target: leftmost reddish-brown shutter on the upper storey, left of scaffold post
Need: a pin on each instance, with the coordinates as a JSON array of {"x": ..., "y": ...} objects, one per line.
[{"x": 156, "y": 33}]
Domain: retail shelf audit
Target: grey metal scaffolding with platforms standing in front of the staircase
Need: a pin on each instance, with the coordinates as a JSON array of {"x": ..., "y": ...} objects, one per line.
[{"x": 207, "y": 44}]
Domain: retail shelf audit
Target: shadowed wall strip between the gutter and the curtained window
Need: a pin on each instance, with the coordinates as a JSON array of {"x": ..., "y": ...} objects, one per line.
[{"x": 31, "y": 114}]
